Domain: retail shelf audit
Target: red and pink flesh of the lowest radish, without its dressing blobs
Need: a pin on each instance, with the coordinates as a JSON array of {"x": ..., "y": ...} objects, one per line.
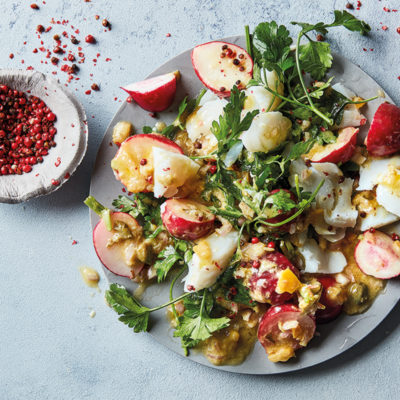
[{"x": 270, "y": 336}]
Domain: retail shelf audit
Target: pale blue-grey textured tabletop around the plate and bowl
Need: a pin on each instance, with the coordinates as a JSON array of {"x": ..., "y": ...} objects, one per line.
[{"x": 49, "y": 347}]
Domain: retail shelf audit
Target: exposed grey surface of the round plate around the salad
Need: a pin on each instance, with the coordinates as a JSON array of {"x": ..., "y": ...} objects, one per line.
[{"x": 336, "y": 336}]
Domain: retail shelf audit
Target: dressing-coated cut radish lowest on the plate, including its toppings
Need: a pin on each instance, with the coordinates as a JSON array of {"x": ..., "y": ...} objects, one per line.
[{"x": 283, "y": 330}]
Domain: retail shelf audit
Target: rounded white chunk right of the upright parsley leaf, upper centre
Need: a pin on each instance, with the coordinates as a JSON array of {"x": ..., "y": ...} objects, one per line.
[{"x": 267, "y": 131}]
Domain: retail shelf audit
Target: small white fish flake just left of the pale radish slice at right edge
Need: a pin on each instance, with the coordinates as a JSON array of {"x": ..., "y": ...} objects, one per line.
[{"x": 323, "y": 262}]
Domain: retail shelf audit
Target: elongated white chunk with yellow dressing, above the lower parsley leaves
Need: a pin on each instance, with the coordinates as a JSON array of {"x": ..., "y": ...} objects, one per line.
[{"x": 206, "y": 266}]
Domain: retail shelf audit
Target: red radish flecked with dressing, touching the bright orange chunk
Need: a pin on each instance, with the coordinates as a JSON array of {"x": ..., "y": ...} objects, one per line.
[{"x": 262, "y": 284}]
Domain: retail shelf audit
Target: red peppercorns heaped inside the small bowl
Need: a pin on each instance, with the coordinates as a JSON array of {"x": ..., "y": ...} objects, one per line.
[{"x": 26, "y": 131}]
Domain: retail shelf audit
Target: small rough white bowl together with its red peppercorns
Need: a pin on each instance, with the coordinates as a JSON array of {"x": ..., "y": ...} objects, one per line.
[{"x": 43, "y": 135}]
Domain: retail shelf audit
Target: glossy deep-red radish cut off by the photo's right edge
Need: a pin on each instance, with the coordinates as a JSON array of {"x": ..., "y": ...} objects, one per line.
[{"x": 384, "y": 134}]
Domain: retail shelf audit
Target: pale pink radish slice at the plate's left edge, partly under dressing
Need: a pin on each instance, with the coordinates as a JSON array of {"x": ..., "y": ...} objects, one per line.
[{"x": 112, "y": 256}]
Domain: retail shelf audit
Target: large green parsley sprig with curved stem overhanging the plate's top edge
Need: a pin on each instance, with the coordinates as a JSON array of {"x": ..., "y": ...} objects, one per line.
[{"x": 270, "y": 45}]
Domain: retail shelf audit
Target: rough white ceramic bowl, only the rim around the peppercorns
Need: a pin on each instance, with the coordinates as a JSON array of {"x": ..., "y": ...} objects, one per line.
[{"x": 71, "y": 138}]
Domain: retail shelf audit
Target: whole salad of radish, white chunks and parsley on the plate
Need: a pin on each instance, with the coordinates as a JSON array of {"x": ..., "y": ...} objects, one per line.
[{"x": 267, "y": 196}]
